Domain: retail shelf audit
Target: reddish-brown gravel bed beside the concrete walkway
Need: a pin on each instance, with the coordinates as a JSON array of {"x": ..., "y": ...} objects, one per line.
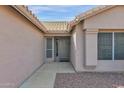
[{"x": 89, "y": 80}]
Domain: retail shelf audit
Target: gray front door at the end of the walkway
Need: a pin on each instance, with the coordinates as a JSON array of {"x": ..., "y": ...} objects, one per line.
[{"x": 62, "y": 49}]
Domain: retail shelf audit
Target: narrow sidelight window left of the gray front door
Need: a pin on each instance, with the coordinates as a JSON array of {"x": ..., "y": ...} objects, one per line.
[{"x": 49, "y": 48}]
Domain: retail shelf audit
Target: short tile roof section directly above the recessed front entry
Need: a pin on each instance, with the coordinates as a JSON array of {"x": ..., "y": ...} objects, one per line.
[{"x": 56, "y": 26}]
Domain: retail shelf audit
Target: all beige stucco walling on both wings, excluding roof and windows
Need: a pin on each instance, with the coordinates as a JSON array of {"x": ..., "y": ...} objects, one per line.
[{"x": 22, "y": 47}]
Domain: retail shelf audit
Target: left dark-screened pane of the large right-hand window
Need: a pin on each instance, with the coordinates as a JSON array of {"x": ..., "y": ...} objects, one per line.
[{"x": 104, "y": 46}]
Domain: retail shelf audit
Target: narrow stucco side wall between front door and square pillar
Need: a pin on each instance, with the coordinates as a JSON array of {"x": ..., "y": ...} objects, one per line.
[{"x": 77, "y": 47}]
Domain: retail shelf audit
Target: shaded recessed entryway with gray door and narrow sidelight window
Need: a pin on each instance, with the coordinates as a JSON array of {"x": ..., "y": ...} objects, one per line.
[{"x": 58, "y": 49}]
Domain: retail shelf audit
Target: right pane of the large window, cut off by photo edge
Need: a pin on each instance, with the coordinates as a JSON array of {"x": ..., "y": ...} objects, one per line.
[{"x": 119, "y": 46}]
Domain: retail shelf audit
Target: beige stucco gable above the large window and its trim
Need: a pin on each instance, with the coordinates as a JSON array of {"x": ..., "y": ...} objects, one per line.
[{"x": 111, "y": 18}]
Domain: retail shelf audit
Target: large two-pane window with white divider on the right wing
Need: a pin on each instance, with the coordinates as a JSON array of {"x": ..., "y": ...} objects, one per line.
[{"x": 110, "y": 46}]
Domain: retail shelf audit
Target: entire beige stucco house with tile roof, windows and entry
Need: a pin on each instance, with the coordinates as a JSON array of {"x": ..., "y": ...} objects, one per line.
[{"x": 93, "y": 41}]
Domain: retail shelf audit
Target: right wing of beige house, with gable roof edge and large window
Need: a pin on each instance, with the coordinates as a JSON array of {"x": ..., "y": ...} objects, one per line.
[{"x": 97, "y": 40}]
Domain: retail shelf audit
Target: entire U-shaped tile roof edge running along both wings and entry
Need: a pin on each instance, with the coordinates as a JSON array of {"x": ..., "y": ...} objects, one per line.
[{"x": 59, "y": 26}]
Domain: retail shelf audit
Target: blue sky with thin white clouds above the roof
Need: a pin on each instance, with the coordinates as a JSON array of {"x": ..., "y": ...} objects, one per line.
[{"x": 58, "y": 12}]
